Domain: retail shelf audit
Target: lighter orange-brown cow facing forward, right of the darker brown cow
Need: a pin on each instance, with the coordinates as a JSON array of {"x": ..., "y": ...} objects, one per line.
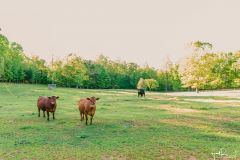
[{"x": 87, "y": 107}]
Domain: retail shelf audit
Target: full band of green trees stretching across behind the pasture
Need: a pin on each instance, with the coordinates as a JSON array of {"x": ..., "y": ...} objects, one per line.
[{"x": 201, "y": 70}]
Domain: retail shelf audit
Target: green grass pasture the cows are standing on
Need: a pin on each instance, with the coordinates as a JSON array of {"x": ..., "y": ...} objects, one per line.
[{"x": 124, "y": 127}]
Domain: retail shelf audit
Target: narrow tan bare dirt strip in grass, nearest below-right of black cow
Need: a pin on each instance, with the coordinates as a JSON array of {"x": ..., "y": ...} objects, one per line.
[{"x": 174, "y": 109}]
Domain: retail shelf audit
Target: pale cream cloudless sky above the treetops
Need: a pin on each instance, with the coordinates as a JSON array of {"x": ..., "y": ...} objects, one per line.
[{"x": 140, "y": 31}]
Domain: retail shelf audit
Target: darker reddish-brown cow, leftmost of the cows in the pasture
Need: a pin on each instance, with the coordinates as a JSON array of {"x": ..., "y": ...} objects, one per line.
[{"x": 48, "y": 104}]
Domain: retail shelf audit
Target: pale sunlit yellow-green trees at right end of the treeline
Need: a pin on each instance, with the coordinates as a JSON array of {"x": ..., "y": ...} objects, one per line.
[{"x": 204, "y": 69}]
